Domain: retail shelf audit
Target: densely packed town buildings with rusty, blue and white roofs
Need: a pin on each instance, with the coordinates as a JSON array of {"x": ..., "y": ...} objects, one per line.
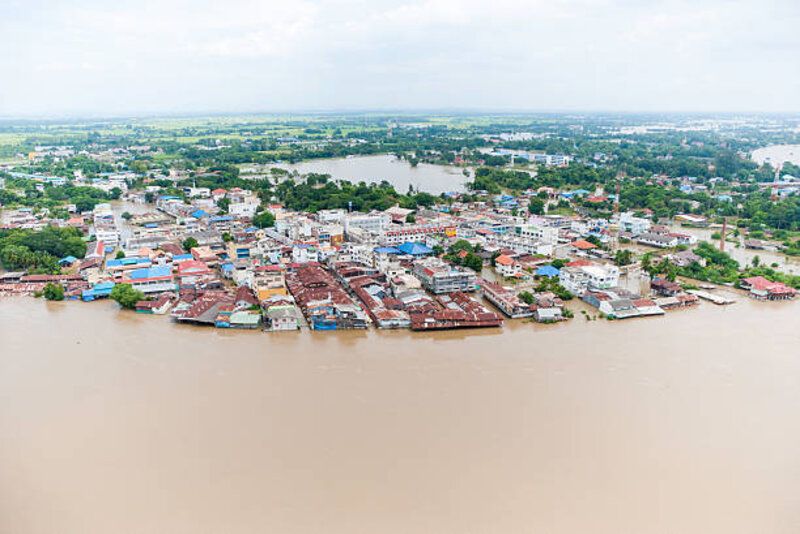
[{"x": 200, "y": 258}]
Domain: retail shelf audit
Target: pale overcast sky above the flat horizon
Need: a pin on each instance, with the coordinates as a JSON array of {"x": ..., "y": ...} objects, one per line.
[{"x": 93, "y": 57}]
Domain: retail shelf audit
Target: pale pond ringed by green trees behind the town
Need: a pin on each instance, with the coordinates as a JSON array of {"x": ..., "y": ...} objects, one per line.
[{"x": 434, "y": 179}]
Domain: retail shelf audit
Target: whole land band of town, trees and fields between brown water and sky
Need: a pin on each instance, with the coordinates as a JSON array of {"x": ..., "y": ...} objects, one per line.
[{"x": 213, "y": 223}]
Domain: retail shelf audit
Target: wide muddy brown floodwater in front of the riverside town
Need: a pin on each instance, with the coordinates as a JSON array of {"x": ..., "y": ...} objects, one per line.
[{"x": 116, "y": 422}]
